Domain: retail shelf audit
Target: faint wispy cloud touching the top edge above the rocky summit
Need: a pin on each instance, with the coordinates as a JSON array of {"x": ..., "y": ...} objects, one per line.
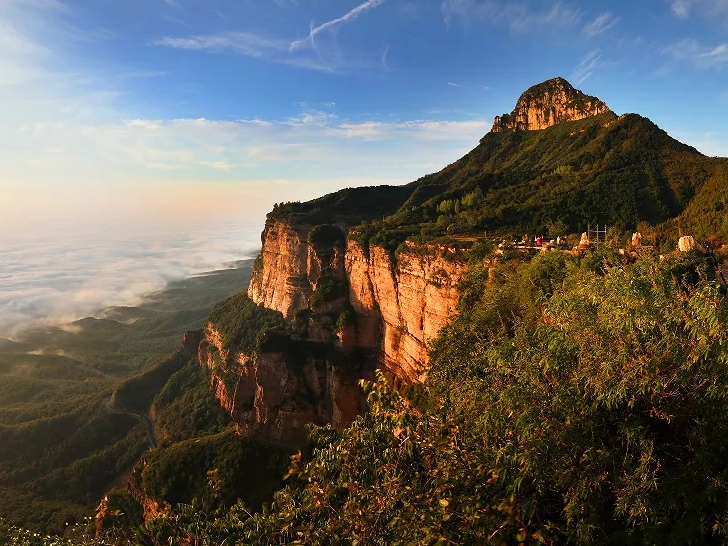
[{"x": 515, "y": 16}]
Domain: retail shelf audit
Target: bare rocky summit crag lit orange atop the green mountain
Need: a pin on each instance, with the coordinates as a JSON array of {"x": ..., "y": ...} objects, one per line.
[{"x": 548, "y": 103}]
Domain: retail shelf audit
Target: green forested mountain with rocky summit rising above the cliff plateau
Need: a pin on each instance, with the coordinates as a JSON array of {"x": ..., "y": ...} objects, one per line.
[{"x": 587, "y": 165}]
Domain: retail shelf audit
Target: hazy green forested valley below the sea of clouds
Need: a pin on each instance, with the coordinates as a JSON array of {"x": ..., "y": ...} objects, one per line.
[{"x": 61, "y": 448}]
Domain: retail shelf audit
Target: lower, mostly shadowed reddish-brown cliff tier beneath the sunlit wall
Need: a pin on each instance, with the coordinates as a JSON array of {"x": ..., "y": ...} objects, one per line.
[{"x": 273, "y": 393}]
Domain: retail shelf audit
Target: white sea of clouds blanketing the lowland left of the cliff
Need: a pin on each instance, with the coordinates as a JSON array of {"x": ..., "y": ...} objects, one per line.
[{"x": 54, "y": 277}]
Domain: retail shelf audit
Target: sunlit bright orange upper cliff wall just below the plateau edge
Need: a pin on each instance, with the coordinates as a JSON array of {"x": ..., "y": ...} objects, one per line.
[{"x": 399, "y": 306}]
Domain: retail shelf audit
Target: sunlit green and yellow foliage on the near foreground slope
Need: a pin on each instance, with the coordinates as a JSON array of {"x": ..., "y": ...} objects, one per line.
[{"x": 587, "y": 405}]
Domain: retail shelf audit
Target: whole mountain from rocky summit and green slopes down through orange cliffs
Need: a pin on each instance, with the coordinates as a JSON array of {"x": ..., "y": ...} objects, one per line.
[{"x": 349, "y": 304}]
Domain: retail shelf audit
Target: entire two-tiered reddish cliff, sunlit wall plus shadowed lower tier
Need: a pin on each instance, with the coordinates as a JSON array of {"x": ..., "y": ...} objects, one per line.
[{"x": 347, "y": 309}]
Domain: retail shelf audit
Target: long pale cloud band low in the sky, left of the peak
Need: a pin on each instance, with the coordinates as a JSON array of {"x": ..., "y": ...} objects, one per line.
[{"x": 250, "y": 148}]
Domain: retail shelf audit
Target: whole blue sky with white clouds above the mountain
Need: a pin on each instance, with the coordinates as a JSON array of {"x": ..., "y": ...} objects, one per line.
[{"x": 166, "y": 108}]
